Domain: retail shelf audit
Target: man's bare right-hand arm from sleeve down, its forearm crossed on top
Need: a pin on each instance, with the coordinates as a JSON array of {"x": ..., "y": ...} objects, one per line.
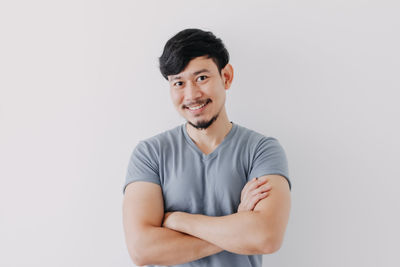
[{"x": 250, "y": 232}]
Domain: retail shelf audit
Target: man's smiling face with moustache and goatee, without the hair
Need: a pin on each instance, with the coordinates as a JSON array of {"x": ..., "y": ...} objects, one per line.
[{"x": 198, "y": 92}]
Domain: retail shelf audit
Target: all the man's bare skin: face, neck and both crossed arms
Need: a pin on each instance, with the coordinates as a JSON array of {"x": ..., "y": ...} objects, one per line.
[{"x": 173, "y": 238}]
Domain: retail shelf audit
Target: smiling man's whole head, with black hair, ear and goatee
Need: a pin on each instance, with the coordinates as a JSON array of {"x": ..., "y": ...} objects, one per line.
[{"x": 195, "y": 63}]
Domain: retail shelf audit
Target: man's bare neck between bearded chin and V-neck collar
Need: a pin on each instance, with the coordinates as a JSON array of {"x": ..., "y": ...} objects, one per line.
[{"x": 214, "y": 134}]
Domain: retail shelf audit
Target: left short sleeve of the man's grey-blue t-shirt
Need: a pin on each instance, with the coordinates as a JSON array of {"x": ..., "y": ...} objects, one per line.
[{"x": 143, "y": 165}]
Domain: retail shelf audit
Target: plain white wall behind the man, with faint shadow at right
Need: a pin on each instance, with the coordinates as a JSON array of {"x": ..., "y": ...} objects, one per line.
[{"x": 80, "y": 86}]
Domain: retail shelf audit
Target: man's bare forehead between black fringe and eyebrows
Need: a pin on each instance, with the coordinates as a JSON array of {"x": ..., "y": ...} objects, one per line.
[{"x": 195, "y": 67}]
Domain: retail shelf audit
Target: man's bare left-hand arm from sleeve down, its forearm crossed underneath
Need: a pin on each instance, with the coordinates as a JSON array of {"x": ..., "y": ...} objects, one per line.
[{"x": 147, "y": 241}]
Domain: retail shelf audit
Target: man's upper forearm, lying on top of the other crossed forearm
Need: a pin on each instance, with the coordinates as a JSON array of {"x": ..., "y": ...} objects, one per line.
[{"x": 241, "y": 233}]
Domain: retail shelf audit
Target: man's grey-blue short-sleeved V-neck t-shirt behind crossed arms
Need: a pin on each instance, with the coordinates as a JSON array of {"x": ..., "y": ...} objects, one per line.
[{"x": 207, "y": 184}]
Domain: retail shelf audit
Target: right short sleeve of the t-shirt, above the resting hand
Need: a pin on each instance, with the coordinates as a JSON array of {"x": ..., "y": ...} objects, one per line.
[{"x": 269, "y": 158}]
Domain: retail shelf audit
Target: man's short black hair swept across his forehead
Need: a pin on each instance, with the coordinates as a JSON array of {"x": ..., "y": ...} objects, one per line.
[{"x": 188, "y": 44}]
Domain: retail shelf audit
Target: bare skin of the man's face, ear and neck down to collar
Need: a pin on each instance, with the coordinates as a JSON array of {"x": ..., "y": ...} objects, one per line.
[{"x": 198, "y": 83}]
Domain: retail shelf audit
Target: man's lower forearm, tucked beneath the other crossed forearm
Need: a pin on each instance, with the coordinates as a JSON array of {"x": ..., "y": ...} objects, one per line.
[{"x": 163, "y": 246}]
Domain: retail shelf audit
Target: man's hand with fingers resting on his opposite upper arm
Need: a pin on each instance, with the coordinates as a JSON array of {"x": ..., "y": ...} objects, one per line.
[{"x": 255, "y": 190}]
